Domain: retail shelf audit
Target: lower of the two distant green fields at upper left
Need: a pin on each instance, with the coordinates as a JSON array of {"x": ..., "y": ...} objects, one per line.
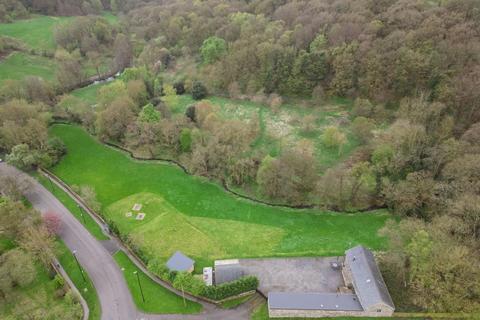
[{"x": 19, "y": 65}]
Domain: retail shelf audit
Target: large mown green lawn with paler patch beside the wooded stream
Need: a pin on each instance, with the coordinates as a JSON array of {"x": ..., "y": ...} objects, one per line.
[{"x": 198, "y": 217}]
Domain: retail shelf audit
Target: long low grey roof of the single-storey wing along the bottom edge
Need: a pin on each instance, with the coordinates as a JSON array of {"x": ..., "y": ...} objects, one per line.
[{"x": 313, "y": 301}]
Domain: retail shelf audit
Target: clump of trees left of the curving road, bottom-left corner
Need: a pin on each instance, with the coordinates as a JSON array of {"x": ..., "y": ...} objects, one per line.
[{"x": 28, "y": 249}]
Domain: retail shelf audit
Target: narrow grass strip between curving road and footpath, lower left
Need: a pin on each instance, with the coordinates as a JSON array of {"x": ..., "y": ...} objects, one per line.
[{"x": 86, "y": 289}]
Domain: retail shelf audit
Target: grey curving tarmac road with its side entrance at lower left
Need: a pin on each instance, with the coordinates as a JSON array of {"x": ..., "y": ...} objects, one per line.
[{"x": 115, "y": 298}]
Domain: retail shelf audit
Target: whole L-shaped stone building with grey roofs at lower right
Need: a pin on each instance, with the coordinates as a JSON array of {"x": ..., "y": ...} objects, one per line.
[{"x": 364, "y": 294}]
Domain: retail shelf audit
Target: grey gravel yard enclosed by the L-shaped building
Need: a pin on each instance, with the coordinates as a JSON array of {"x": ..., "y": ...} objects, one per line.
[{"x": 295, "y": 274}]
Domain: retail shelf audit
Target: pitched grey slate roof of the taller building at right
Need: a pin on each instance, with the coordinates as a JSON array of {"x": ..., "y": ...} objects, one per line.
[{"x": 367, "y": 279}]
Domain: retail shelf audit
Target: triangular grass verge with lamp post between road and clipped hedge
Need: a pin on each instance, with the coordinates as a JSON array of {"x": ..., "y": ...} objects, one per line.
[{"x": 157, "y": 298}]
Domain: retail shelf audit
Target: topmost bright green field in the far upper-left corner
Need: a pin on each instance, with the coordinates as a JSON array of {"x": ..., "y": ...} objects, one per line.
[{"x": 36, "y": 32}]
